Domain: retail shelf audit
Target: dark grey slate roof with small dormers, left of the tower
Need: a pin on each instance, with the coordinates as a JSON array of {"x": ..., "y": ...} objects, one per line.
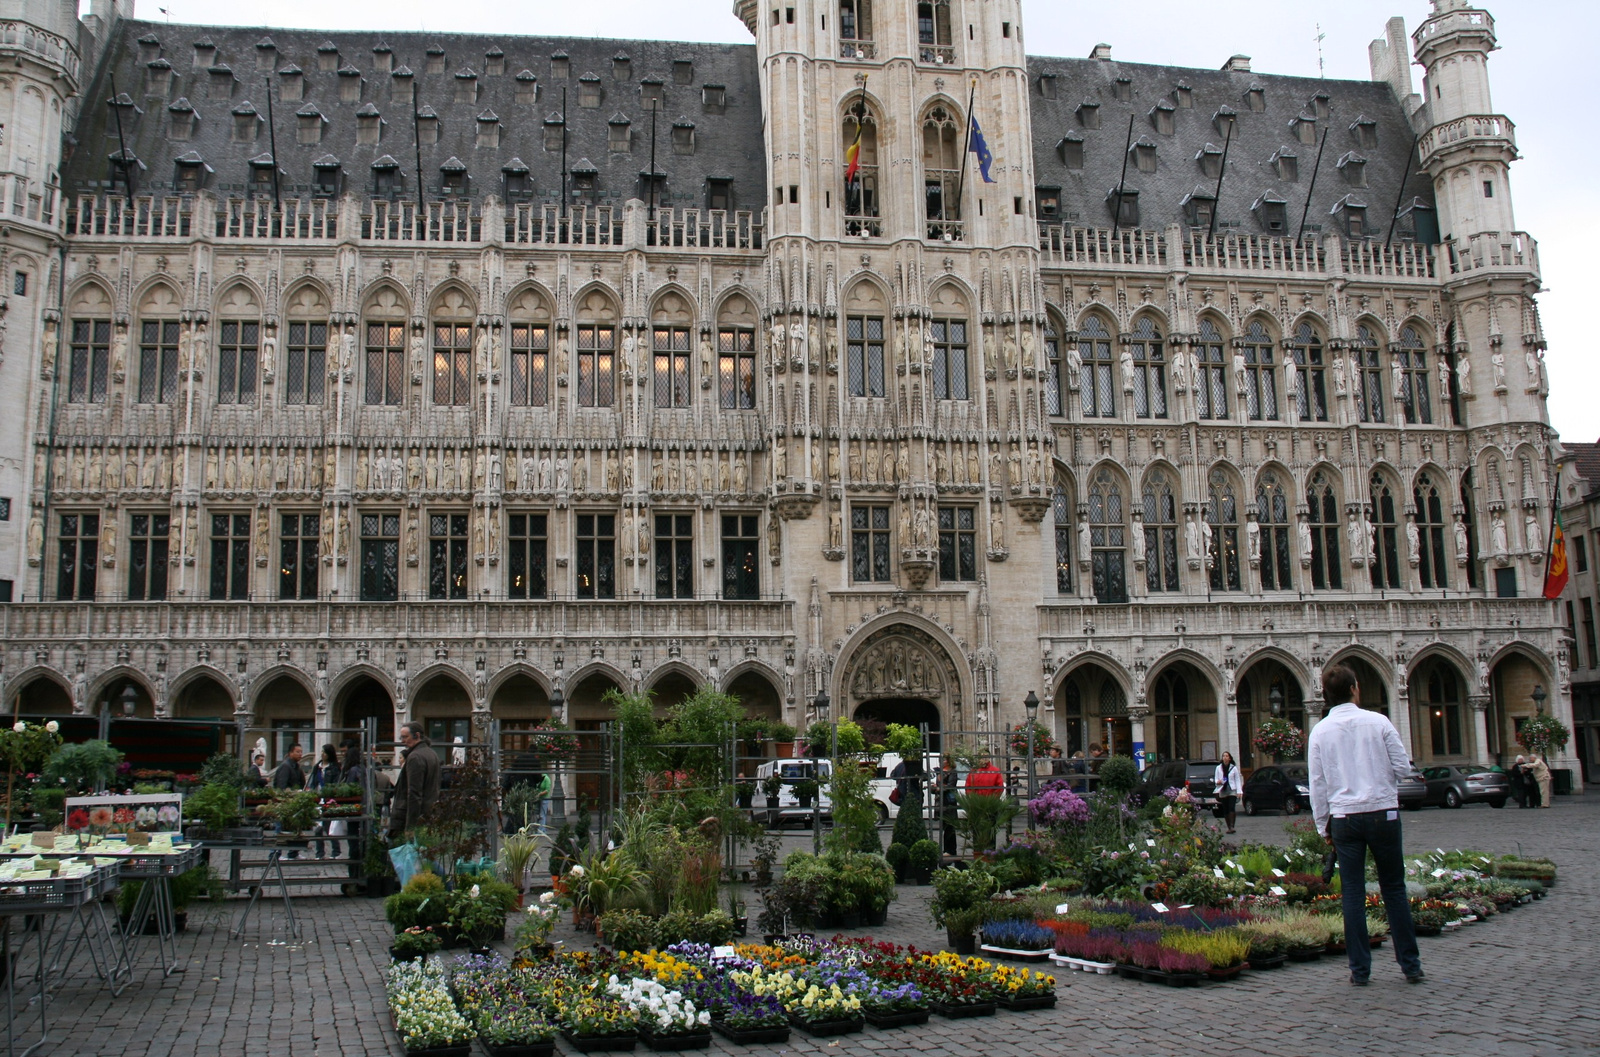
[{"x": 727, "y": 143}]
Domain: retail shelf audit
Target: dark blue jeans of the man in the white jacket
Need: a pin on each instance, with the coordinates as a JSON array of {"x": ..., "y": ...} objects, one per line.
[{"x": 1353, "y": 839}]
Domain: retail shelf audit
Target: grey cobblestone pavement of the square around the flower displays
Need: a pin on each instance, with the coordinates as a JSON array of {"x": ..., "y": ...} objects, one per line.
[{"x": 1513, "y": 986}]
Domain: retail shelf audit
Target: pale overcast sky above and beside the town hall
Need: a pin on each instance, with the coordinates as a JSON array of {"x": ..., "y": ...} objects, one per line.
[{"x": 1540, "y": 82}]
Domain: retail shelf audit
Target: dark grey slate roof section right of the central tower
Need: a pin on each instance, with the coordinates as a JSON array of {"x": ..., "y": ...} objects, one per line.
[{"x": 1257, "y": 137}]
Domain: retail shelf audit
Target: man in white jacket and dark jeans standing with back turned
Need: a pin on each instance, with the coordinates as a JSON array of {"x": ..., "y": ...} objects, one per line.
[{"x": 1358, "y": 764}]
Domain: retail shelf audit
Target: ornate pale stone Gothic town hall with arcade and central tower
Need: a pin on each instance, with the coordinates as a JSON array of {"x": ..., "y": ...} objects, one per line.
[{"x": 425, "y": 377}]
